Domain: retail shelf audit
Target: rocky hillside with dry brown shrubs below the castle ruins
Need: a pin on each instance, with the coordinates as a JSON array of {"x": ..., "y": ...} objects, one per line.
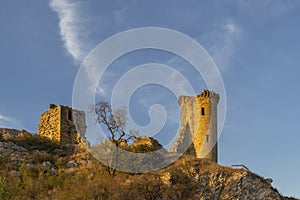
[{"x": 36, "y": 168}]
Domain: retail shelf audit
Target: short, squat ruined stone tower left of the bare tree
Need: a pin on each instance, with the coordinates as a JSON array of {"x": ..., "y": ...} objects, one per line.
[{"x": 58, "y": 124}]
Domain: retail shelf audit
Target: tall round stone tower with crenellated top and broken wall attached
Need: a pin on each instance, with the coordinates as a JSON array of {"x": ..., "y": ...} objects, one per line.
[{"x": 198, "y": 130}]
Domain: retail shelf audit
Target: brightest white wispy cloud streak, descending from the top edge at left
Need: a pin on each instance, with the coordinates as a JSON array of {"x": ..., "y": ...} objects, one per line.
[{"x": 71, "y": 27}]
